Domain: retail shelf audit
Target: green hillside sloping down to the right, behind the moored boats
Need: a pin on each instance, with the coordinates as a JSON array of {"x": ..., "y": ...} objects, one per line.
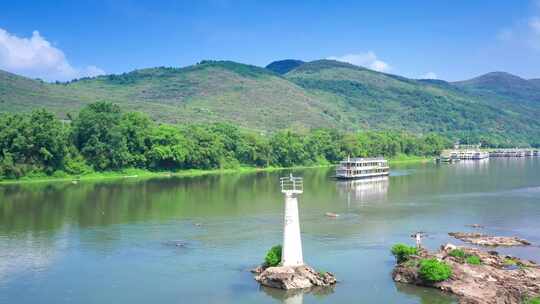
[{"x": 381, "y": 101}]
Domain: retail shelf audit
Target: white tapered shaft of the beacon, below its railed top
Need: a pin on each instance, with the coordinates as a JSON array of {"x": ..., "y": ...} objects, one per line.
[{"x": 291, "y": 254}]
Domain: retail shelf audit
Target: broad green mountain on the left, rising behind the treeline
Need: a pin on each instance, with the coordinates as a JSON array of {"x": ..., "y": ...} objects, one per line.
[{"x": 246, "y": 95}]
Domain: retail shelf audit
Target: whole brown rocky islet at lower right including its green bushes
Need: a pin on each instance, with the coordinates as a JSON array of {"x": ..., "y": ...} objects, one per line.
[{"x": 475, "y": 276}]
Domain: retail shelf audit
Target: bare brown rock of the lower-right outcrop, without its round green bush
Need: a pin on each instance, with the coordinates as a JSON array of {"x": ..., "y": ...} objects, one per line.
[{"x": 498, "y": 279}]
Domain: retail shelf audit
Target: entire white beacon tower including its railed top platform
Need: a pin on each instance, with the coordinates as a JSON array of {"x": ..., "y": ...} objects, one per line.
[{"x": 291, "y": 254}]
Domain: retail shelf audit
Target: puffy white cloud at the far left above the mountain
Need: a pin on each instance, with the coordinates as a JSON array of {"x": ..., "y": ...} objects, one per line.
[{"x": 36, "y": 57}]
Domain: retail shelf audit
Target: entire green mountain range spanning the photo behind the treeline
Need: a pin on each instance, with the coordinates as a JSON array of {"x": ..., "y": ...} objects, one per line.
[{"x": 322, "y": 93}]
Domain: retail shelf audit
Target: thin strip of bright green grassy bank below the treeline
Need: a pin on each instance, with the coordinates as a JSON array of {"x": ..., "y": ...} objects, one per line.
[{"x": 143, "y": 173}]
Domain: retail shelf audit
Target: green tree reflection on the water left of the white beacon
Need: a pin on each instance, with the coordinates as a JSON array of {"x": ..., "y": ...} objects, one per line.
[{"x": 40, "y": 207}]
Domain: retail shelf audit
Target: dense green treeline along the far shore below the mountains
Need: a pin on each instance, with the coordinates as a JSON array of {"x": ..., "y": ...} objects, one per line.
[{"x": 102, "y": 138}]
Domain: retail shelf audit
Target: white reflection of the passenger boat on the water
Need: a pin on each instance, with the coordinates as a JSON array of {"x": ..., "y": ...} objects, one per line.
[{"x": 364, "y": 190}]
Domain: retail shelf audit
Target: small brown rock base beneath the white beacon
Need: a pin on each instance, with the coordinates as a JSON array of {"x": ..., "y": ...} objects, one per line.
[{"x": 300, "y": 277}]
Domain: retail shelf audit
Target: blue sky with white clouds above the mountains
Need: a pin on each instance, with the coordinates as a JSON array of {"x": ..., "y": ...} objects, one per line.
[{"x": 449, "y": 40}]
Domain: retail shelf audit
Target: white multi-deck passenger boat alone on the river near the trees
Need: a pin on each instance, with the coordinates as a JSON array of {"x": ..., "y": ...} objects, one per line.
[{"x": 353, "y": 168}]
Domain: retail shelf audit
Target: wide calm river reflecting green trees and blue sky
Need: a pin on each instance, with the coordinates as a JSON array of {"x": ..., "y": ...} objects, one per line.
[{"x": 193, "y": 240}]
